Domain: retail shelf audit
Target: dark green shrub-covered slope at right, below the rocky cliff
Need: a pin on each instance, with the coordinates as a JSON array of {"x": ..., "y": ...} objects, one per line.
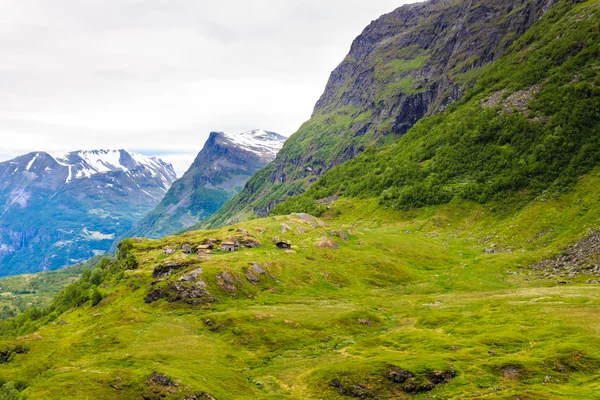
[{"x": 484, "y": 153}]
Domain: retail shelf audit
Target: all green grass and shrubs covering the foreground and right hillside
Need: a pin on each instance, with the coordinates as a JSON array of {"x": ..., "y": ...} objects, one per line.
[{"x": 419, "y": 281}]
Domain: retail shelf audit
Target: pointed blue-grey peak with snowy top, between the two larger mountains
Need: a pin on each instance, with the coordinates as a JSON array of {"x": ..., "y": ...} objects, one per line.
[{"x": 219, "y": 172}]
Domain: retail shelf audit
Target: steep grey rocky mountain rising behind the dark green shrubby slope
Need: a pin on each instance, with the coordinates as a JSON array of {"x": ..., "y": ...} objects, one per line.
[{"x": 407, "y": 64}]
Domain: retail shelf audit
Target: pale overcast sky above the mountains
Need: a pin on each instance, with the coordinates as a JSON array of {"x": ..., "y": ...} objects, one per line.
[{"x": 157, "y": 76}]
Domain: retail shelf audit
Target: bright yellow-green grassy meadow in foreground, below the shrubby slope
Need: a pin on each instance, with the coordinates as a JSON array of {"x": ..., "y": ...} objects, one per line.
[{"x": 403, "y": 290}]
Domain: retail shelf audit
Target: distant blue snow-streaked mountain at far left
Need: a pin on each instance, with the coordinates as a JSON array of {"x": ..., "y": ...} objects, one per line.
[{"x": 60, "y": 209}]
